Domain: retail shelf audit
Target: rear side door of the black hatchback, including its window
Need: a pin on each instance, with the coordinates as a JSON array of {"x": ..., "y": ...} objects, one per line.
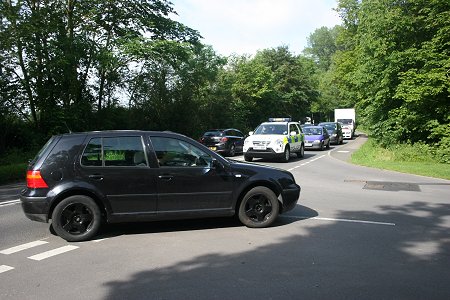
[{"x": 117, "y": 166}]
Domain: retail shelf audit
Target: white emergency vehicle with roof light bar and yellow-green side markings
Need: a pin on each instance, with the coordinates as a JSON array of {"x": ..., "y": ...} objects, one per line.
[{"x": 277, "y": 138}]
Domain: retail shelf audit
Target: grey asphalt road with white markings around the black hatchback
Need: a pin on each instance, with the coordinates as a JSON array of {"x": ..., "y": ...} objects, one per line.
[{"x": 357, "y": 233}]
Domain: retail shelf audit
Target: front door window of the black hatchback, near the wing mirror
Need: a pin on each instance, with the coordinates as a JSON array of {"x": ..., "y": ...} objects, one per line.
[{"x": 172, "y": 152}]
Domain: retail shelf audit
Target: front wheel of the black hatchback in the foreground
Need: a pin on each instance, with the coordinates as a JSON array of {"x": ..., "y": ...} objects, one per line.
[{"x": 259, "y": 207}]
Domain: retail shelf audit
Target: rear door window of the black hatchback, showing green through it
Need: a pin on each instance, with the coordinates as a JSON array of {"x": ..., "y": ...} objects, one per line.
[{"x": 125, "y": 151}]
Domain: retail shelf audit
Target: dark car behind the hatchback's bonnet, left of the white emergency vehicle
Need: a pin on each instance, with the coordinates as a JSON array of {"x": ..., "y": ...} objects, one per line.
[{"x": 225, "y": 141}]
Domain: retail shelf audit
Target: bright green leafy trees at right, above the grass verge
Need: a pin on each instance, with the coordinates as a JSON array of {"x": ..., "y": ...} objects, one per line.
[{"x": 393, "y": 63}]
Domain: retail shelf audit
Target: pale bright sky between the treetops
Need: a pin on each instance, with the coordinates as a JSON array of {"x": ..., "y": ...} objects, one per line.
[{"x": 246, "y": 26}]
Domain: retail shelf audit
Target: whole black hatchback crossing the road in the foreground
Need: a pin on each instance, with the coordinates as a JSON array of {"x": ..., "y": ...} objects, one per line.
[{"x": 79, "y": 180}]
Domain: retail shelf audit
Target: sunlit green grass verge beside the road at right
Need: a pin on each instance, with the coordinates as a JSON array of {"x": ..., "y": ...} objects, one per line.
[{"x": 401, "y": 158}]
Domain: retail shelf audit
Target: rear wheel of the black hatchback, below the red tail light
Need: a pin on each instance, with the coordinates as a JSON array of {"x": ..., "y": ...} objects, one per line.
[{"x": 76, "y": 218}]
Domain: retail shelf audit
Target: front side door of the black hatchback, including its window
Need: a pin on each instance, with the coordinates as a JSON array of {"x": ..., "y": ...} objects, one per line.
[{"x": 188, "y": 182}]
